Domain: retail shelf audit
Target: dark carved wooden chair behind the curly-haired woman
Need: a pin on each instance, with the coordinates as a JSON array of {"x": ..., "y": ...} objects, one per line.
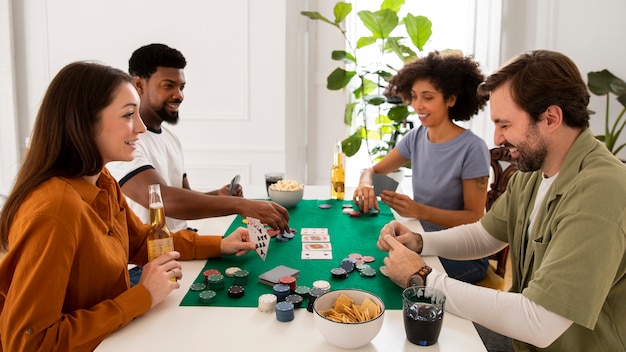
[{"x": 503, "y": 168}]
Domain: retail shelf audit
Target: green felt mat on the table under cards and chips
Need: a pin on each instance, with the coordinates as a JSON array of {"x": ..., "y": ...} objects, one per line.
[{"x": 347, "y": 235}]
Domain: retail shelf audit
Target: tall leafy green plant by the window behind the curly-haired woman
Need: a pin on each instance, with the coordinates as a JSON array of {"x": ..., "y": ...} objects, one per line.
[{"x": 381, "y": 119}]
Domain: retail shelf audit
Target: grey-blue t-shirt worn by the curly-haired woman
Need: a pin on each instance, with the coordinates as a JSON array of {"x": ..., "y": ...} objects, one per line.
[{"x": 440, "y": 168}]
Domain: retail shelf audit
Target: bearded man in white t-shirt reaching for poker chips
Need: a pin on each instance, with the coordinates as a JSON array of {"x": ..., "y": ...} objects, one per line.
[{"x": 159, "y": 78}]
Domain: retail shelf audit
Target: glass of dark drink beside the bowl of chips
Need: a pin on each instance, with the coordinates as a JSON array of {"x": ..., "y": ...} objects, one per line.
[{"x": 422, "y": 308}]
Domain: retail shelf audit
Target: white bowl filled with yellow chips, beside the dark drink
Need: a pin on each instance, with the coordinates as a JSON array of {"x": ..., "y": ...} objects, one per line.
[{"x": 348, "y": 318}]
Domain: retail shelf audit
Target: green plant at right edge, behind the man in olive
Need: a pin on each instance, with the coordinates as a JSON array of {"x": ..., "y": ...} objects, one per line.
[{"x": 604, "y": 83}]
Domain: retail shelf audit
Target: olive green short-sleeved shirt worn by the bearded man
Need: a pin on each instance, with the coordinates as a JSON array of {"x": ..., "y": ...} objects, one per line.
[{"x": 573, "y": 262}]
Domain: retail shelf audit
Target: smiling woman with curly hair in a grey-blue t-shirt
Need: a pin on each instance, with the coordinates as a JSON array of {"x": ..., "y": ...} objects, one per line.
[{"x": 450, "y": 165}]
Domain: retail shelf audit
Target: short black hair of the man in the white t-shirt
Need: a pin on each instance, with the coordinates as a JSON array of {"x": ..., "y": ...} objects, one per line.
[{"x": 145, "y": 60}]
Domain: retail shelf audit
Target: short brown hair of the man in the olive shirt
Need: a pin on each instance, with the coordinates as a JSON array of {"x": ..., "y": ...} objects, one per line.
[{"x": 541, "y": 78}]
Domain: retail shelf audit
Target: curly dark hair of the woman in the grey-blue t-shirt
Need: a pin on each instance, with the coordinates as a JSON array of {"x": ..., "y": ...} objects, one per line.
[{"x": 451, "y": 74}]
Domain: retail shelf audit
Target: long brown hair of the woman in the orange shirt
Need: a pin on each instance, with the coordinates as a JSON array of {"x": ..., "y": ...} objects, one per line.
[{"x": 62, "y": 141}]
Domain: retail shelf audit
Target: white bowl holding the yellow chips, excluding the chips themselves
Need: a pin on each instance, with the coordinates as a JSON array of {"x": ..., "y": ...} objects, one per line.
[{"x": 347, "y": 335}]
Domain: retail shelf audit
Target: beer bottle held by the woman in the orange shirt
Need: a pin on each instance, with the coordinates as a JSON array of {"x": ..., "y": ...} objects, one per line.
[{"x": 160, "y": 239}]
